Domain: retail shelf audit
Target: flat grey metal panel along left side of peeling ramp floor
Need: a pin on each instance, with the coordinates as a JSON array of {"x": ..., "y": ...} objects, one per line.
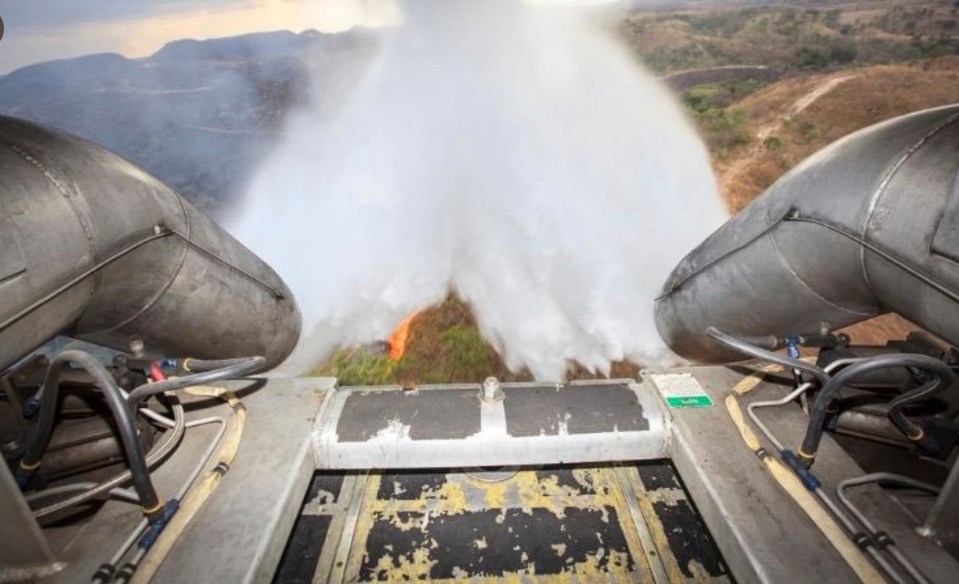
[{"x": 254, "y": 509}]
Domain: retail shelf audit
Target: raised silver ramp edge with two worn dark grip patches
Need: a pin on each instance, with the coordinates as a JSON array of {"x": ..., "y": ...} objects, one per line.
[{"x": 363, "y": 428}]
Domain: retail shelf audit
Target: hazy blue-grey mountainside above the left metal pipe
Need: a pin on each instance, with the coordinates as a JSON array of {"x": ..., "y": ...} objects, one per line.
[{"x": 197, "y": 114}]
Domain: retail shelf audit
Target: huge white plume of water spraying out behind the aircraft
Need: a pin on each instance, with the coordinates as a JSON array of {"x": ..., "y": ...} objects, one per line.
[{"x": 514, "y": 154}]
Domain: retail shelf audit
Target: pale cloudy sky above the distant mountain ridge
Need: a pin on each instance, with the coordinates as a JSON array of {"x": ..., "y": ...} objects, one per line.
[{"x": 43, "y": 30}]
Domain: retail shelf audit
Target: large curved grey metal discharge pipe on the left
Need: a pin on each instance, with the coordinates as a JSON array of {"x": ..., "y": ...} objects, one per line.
[{"x": 94, "y": 247}]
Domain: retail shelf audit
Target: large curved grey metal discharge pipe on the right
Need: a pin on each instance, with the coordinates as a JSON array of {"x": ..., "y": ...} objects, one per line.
[{"x": 788, "y": 261}]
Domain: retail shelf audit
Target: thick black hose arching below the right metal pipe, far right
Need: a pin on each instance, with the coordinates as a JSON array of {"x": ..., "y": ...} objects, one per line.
[{"x": 942, "y": 372}]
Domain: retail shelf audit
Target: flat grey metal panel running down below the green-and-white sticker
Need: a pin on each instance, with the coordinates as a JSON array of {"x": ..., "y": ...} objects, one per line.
[{"x": 763, "y": 535}]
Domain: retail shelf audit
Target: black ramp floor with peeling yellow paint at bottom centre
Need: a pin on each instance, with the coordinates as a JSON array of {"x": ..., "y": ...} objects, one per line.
[{"x": 629, "y": 522}]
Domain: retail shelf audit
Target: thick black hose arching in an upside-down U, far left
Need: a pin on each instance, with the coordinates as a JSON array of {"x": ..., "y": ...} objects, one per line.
[{"x": 121, "y": 413}]
